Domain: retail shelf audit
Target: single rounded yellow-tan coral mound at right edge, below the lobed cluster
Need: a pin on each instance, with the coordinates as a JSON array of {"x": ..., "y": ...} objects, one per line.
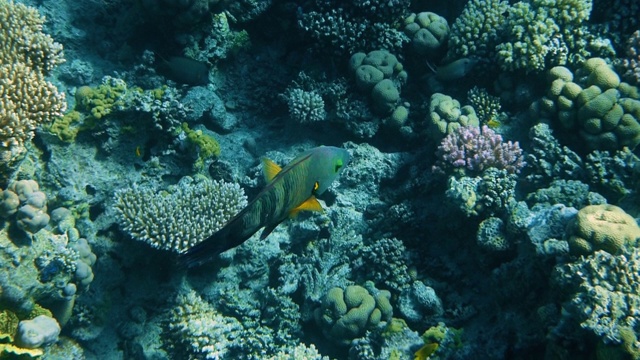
[{"x": 602, "y": 227}]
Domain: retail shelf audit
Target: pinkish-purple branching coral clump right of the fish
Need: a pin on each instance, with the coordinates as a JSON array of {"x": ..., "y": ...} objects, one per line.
[{"x": 475, "y": 149}]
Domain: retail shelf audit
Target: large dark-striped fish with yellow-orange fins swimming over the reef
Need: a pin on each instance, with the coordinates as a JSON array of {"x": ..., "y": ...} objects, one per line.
[{"x": 288, "y": 191}]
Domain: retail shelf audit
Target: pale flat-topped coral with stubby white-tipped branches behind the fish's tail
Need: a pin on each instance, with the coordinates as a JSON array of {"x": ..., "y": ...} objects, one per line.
[{"x": 181, "y": 217}]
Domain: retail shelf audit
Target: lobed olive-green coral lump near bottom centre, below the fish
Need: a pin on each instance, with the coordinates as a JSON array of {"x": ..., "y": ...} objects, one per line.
[{"x": 347, "y": 314}]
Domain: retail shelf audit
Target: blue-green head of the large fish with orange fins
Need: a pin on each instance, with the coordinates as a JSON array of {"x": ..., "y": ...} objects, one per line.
[{"x": 327, "y": 163}]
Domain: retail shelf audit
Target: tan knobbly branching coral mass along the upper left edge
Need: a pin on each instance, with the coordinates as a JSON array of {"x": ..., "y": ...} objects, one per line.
[{"x": 27, "y": 56}]
